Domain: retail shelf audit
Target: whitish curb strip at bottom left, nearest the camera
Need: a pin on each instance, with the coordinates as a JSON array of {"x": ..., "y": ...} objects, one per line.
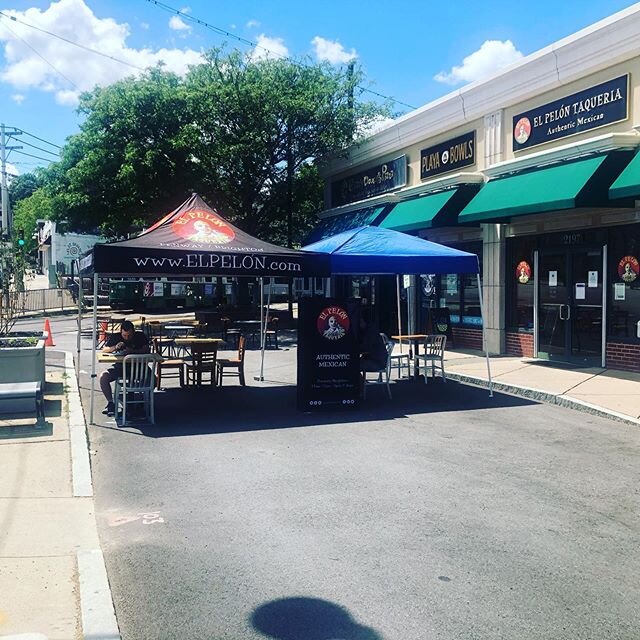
[{"x": 98, "y": 617}]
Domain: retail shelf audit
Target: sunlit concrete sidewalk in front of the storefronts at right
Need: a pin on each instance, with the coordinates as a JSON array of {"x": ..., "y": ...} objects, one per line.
[{"x": 605, "y": 392}]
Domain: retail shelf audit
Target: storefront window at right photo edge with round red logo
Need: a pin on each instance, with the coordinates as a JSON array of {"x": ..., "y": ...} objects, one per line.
[{"x": 624, "y": 282}]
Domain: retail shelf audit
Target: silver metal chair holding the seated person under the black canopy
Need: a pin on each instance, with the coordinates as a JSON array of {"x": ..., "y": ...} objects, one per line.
[{"x": 136, "y": 385}]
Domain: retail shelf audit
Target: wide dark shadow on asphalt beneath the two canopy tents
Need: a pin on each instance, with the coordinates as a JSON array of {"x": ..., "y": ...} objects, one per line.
[{"x": 228, "y": 409}]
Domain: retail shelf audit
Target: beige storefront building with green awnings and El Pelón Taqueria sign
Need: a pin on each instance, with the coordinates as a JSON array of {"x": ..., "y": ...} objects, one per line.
[{"x": 536, "y": 170}]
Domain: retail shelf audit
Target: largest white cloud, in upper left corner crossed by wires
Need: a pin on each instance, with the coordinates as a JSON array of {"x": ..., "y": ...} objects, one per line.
[{"x": 82, "y": 70}]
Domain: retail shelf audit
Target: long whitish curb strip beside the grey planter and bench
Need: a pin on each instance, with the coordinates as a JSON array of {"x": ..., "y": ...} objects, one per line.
[{"x": 80, "y": 465}]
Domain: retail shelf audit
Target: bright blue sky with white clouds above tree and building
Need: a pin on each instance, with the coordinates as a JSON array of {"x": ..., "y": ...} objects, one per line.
[{"x": 413, "y": 51}]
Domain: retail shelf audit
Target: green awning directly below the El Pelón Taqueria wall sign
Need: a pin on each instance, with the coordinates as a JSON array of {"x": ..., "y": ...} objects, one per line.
[{"x": 547, "y": 189}]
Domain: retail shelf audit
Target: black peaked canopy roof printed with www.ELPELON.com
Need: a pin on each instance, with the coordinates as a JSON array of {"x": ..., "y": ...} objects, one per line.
[{"x": 195, "y": 240}]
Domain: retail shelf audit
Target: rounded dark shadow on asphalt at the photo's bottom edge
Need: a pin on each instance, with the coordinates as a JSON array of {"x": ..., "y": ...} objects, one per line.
[{"x": 308, "y": 619}]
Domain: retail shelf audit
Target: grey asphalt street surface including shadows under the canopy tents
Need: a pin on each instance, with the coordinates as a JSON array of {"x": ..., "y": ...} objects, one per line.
[{"x": 442, "y": 514}]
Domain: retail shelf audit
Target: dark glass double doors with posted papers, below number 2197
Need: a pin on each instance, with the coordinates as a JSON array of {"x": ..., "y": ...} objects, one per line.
[{"x": 570, "y": 286}]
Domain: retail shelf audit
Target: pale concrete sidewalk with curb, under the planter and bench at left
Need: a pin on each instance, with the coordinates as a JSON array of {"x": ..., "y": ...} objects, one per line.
[{"x": 53, "y": 583}]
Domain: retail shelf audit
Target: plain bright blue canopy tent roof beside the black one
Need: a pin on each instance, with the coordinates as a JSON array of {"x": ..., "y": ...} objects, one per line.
[{"x": 373, "y": 250}]
